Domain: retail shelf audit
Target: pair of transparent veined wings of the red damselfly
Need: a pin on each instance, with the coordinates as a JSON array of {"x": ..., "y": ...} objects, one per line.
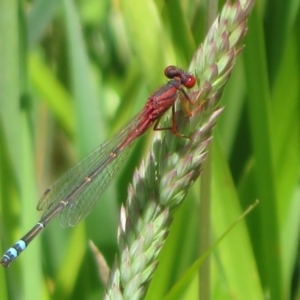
[{"x": 81, "y": 202}]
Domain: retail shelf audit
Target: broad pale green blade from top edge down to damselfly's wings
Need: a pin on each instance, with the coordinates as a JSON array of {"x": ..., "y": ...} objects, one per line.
[{"x": 87, "y": 113}]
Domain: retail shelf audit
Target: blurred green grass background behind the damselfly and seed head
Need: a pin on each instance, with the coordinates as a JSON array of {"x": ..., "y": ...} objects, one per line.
[{"x": 73, "y": 72}]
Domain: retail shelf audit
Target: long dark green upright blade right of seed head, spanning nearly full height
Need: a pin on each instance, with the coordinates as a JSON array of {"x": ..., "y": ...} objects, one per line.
[{"x": 262, "y": 138}]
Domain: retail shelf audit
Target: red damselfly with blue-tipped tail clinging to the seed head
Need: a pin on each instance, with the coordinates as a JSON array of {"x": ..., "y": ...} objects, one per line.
[{"x": 73, "y": 195}]
